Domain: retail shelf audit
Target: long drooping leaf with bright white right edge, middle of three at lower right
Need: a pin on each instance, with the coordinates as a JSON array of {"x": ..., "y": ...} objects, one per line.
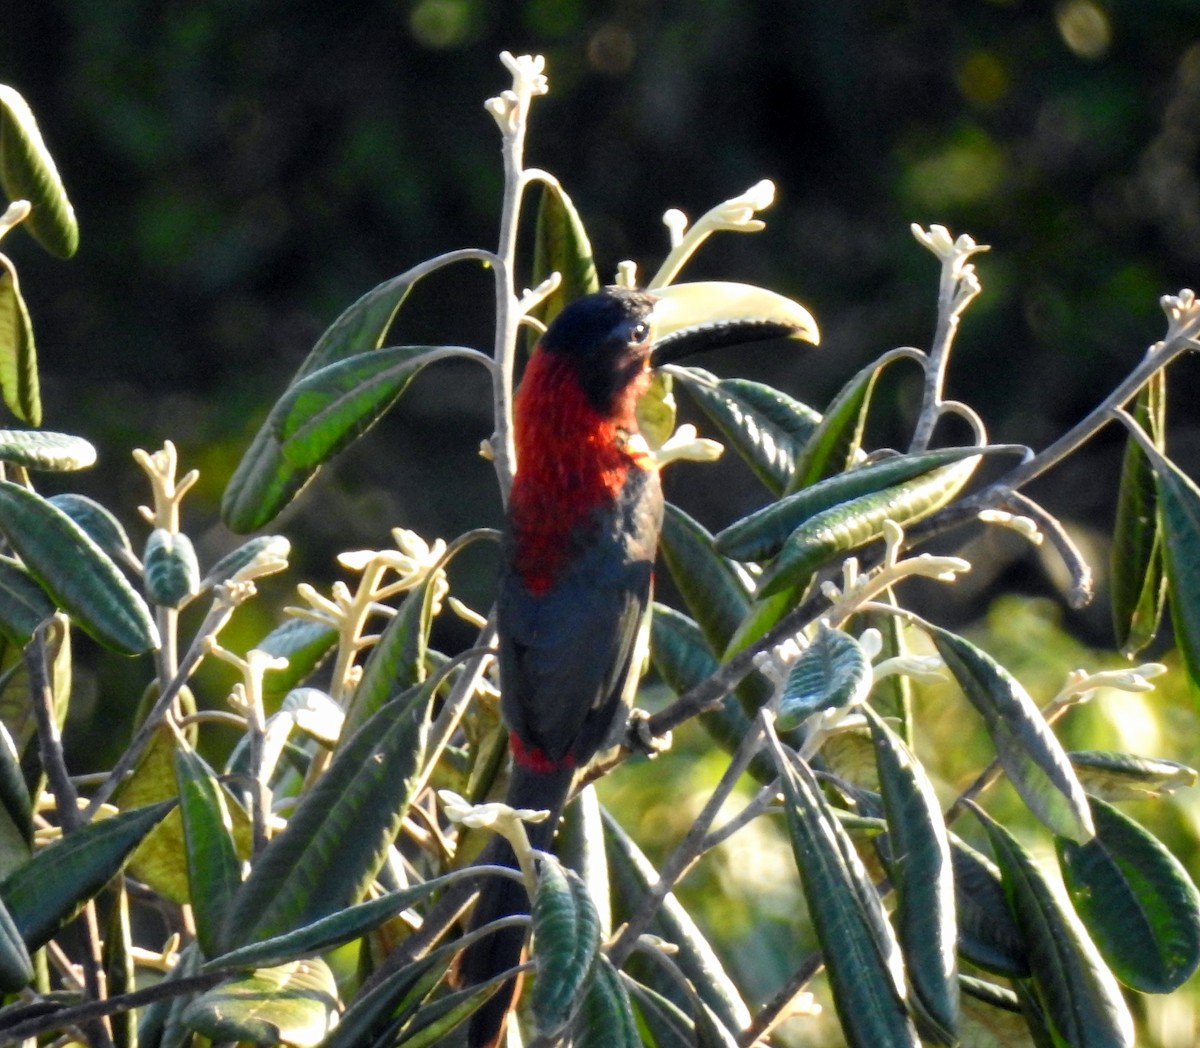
[{"x": 922, "y": 873}]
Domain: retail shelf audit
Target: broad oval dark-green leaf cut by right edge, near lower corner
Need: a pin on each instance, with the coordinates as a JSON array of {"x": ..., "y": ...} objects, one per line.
[{"x": 1137, "y": 901}]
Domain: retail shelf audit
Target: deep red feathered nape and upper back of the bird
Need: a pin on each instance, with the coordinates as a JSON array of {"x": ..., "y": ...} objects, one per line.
[{"x": 572, "y": 460}]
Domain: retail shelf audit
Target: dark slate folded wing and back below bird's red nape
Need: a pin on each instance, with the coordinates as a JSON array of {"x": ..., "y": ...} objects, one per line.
[{"x": 566, "y": 654}]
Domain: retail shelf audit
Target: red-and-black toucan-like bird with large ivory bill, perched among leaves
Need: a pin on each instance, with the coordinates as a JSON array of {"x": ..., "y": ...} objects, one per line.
[{"x": 578, "y": 558}]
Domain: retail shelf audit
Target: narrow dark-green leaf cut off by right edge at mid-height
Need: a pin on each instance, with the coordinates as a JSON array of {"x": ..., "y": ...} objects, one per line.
[{"x": 1179, "y": 505}]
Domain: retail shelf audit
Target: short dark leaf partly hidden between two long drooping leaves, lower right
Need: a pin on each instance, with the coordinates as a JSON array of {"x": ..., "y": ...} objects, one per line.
[{"x": 988, "y": 935}]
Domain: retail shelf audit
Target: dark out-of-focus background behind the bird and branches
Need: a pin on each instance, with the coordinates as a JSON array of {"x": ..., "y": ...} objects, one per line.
[{"x": 243, "y": 171}]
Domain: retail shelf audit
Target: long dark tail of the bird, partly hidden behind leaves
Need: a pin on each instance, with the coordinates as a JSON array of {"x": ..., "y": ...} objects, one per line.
[{"x": 502, "y": 897}]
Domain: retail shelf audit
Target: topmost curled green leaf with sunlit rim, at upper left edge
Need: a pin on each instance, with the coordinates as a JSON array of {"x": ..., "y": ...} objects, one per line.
[{"x": 28, "y": 173}]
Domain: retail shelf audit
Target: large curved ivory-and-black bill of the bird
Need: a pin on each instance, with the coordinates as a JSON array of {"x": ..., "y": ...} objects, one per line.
[{"x": 709, "y": 315}]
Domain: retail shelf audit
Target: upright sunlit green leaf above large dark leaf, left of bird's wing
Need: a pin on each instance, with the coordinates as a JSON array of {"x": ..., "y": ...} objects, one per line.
[{"x": 398, "y": 661}]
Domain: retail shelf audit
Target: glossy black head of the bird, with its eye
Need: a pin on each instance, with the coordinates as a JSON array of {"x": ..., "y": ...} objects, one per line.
[{"x": 607, "y": 338}]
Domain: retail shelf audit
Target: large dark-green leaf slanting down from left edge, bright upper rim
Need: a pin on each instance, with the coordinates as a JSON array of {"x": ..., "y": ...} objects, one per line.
[{"x": 75, "y": 572}]
